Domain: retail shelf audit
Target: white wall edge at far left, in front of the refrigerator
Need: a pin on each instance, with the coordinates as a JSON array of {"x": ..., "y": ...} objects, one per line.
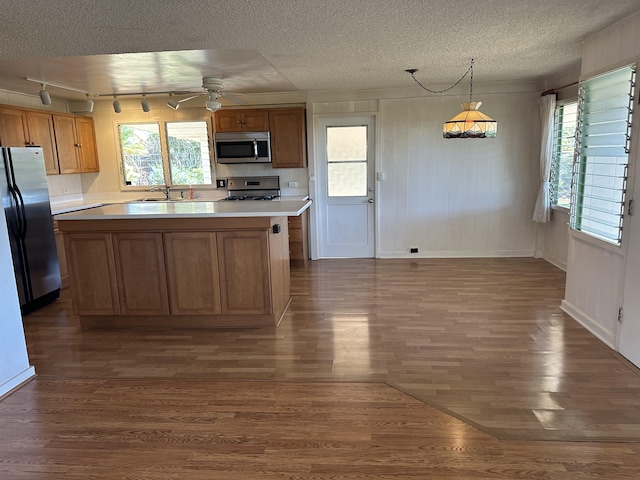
[{"x": 14, "y": 362}]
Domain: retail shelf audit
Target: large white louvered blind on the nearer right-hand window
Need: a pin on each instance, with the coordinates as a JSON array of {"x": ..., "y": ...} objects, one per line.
[{"x": 600, "y": 166}]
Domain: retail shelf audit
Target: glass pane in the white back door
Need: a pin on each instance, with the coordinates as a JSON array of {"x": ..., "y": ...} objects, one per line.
[{"x": 347, "y": 161}]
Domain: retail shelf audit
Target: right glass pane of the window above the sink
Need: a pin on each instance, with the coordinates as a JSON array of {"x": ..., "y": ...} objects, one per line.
[{"x": 189, "y": 159}]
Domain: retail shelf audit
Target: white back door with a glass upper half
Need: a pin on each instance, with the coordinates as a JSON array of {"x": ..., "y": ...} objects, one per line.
[{"x": 345, "y": 191}]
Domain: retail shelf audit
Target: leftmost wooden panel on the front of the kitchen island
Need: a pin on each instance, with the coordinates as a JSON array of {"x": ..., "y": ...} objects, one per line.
[{"x": 92, "y": 273}]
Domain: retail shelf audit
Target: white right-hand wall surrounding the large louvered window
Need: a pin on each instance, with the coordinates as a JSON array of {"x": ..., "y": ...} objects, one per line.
[{"x": 595, "y": 270}]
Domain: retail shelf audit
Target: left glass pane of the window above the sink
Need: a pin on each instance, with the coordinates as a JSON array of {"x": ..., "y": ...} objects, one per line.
[{"x": 141, "y": 154}]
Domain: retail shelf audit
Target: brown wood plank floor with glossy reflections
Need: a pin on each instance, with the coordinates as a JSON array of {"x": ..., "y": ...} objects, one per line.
[{"x": 342, "y": 389}]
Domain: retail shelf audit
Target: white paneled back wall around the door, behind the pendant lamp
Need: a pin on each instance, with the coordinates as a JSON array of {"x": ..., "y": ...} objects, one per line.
[{"x": 449, "y": 197}]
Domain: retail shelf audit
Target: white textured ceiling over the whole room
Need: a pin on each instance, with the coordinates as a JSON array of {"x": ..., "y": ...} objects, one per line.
[{"x": 119, "y": 46}]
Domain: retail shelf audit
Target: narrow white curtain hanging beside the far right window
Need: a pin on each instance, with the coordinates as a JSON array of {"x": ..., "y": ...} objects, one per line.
[{"x": 542, "y": 212}]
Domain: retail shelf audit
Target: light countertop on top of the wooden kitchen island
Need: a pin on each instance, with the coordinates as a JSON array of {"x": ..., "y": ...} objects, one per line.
[{"x": 190, "y": 209}]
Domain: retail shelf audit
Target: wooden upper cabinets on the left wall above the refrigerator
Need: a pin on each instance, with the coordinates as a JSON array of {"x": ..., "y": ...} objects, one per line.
[{"x": 68, "y": 141}]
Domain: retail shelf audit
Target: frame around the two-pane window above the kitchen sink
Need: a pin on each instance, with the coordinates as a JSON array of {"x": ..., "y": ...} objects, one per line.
[{"x": 164, "y": 150}]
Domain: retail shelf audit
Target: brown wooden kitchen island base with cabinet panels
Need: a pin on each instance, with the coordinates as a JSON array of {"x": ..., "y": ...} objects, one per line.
[{"x": 182, "y": 277}]
